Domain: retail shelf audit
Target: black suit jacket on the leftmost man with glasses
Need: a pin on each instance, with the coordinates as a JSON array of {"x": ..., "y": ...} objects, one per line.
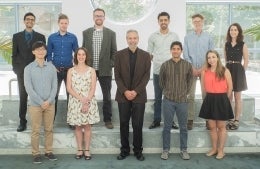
[{"x": 22, "y": 53}]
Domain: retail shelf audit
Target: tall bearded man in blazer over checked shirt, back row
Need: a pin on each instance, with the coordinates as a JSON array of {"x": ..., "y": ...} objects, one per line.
[{"x": 101, "y": 45}]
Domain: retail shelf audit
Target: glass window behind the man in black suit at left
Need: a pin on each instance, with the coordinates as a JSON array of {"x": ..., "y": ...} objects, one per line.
[{"x": 11, "y": 19}]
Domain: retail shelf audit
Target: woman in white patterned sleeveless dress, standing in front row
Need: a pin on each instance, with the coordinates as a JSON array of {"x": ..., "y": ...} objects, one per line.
[{"x": 82, "y": 105}]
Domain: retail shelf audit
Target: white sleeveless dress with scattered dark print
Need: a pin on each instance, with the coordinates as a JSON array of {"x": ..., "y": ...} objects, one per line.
[{"x": 81, "y": 83}]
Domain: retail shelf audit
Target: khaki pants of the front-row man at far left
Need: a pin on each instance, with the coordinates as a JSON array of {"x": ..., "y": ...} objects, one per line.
[{"x": 38, "y": 115}]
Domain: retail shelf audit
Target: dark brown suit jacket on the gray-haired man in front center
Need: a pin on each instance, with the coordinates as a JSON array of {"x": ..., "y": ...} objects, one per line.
[{"x": 141, "y": 75}]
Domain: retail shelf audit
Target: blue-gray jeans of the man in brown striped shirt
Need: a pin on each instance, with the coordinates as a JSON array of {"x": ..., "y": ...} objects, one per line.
[{"x": 169, "y": 109}]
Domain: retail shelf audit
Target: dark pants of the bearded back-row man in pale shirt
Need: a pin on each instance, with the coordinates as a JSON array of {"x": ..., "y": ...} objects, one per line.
[{"x": 157, "y": 98}]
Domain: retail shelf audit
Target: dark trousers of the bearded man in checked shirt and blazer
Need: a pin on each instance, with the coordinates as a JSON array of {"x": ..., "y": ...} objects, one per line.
[{"x": 105, "y": 84}]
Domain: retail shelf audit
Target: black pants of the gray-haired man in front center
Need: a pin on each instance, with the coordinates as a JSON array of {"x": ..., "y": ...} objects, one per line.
[{"x": 135, "y": 111}]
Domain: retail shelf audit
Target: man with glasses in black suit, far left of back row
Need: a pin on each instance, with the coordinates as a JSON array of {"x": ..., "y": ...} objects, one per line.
[{"x": 22, "y": 56}]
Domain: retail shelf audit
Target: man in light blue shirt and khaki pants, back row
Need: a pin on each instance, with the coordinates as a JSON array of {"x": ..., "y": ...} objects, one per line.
[{"x": 196, "y": 45}]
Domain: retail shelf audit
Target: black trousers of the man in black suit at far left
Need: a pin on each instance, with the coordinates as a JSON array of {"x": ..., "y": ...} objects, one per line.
[{"x": 22, "y": 99}]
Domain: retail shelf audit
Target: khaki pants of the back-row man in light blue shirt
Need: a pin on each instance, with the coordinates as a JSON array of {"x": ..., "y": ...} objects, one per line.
[{"x": 191, "y": 99}]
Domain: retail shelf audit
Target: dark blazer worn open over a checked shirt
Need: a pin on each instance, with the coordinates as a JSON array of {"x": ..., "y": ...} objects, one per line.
[{"x": 108, "y": 50}]
